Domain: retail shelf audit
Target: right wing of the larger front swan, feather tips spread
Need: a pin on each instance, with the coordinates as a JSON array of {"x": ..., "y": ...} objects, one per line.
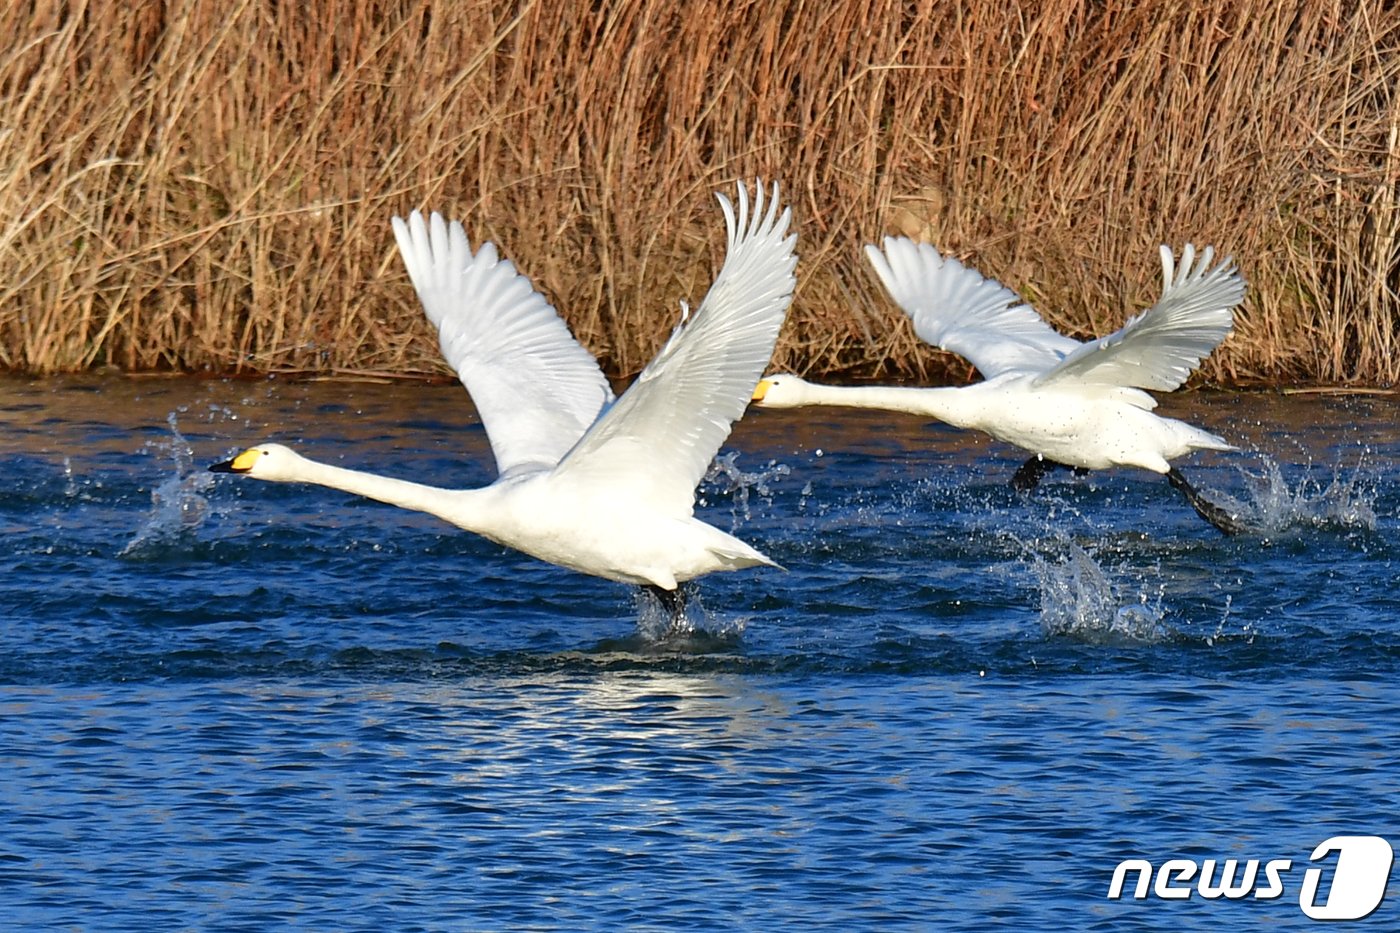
[{"x": 660, "y": 438}]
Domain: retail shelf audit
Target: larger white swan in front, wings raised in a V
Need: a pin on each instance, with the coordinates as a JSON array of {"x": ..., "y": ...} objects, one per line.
[{"x": 600, "y": 487}]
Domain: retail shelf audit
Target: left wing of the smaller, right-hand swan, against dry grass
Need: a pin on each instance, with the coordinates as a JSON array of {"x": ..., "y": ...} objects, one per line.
[{"x": 958, "y": 309}]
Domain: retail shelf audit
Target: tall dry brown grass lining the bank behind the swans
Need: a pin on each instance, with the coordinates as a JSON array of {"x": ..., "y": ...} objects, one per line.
[{"x": 208, "y": 187}]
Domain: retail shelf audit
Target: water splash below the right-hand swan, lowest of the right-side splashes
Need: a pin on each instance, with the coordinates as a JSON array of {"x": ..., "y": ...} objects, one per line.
[{"x": 1079, "y": 599}]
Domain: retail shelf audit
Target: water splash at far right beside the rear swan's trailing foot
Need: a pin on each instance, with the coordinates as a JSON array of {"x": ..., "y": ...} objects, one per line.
[{"x": 1339, "y": 504}]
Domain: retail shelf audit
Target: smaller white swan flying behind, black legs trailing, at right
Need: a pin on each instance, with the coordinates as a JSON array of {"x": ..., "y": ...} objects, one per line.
[{"x": 1074, "y": 406}]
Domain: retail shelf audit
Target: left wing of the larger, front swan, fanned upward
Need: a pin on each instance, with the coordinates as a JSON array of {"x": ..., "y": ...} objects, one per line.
[{"x": 534, "y": 386}]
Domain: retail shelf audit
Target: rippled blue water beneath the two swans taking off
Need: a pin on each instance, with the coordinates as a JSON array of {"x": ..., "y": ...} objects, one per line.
[{"x": 234, "y": 705}]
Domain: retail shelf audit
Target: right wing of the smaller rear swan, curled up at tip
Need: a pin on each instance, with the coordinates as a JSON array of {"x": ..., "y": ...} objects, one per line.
[{"x": 1161, "y": 347}]
